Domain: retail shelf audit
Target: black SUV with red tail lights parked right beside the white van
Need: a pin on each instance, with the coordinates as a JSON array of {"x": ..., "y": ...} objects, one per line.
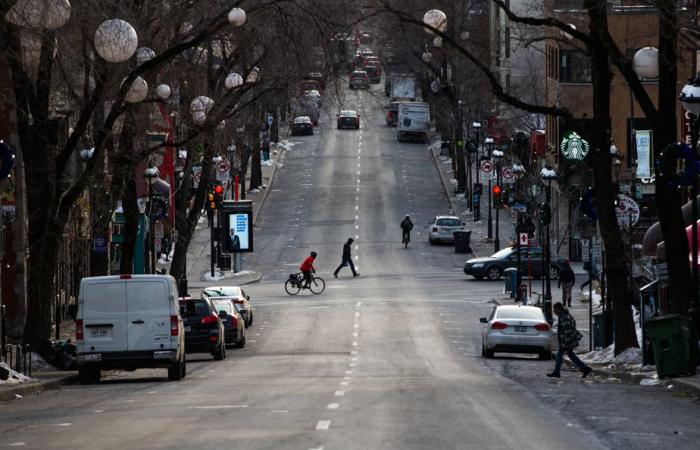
[{"x": 204, "y": 331}]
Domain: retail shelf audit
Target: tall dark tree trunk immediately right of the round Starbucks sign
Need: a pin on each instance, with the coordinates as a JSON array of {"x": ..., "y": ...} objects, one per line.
[{"x": 617, "y": 268}]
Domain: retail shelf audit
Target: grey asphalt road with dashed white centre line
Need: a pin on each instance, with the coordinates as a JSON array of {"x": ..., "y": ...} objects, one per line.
[{"x": 387, "y": 360}]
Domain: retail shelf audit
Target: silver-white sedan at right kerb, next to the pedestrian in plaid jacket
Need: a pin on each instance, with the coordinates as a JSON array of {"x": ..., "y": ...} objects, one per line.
[{"x": 516, "y": 329}]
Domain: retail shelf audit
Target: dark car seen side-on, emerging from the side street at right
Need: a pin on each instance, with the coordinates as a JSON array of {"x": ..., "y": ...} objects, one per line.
[{"x": 492, "y": 267}]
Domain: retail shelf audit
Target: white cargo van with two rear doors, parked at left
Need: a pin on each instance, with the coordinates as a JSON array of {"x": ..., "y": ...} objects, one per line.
[{"x": 129, "y": 322}]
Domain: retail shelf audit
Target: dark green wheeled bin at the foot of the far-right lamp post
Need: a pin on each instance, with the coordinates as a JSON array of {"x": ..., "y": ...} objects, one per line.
[{"x": 670, "y": 337}]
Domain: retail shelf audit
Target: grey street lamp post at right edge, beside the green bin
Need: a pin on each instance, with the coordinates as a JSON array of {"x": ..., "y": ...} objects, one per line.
[{"x": 690, "y": 98}]
